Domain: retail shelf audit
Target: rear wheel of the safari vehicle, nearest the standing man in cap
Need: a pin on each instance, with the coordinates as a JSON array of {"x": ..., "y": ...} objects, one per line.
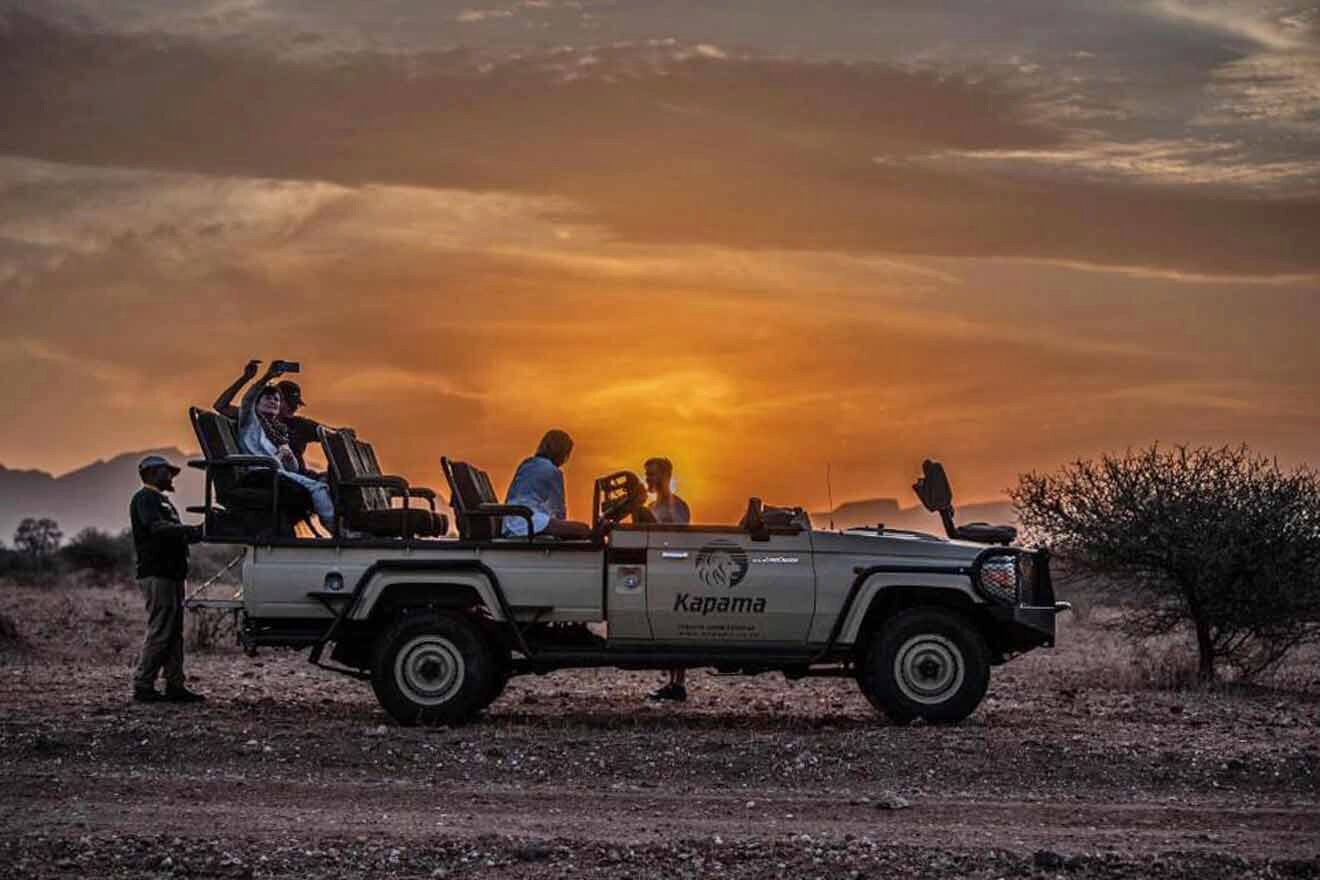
[{"x": 432, "y": 668}]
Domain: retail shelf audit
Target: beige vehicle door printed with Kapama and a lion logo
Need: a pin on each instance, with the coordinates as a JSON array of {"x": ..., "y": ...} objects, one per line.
[{"x": 721, "y": 585}]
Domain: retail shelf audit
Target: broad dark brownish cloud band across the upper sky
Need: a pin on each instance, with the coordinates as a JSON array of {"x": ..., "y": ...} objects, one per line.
[{"x": 658, "y": 142}]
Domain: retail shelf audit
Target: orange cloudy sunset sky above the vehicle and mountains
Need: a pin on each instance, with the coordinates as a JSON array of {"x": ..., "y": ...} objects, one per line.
[{"x": 757, "y": 237}]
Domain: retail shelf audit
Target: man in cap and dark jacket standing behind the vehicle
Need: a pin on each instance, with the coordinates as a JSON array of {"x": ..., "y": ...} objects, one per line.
[{"x": 162, "y": 543}]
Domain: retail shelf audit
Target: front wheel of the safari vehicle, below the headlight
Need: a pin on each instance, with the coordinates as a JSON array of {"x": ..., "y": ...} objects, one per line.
[{"x": 926, "y": 663}]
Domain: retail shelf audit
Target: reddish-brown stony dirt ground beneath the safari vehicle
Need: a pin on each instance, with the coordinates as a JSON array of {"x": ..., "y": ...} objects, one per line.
[{"x": 1072, "y": 769}]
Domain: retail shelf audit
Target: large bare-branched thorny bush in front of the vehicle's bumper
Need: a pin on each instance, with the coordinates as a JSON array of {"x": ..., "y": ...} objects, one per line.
[{"x": 1219, "y": 540}]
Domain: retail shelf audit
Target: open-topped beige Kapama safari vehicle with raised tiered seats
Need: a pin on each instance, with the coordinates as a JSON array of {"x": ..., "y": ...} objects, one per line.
[{"x": 440, "y": 625}]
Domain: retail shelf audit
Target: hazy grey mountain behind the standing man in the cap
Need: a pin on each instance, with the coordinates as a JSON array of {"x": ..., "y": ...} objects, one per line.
[{"x": 96, "y": 495}]
